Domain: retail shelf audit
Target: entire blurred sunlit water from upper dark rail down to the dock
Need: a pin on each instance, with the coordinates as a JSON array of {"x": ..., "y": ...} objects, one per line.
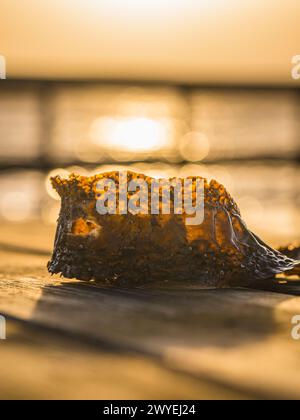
[{"x": 247, "y": 139}]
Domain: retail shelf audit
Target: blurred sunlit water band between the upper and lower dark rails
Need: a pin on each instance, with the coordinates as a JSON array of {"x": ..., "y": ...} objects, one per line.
[{"x": 94, "y": 123}]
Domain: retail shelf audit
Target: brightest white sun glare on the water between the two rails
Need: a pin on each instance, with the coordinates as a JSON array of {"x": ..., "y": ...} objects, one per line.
[{"x": 130, "y": 134}]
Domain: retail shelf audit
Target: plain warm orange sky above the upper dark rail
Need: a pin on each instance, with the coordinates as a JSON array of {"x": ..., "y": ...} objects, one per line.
[{"x": 215, "y": 41}]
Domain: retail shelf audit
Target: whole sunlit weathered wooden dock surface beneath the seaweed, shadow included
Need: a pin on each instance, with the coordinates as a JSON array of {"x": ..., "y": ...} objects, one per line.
[{"x": 68, "y": 339}]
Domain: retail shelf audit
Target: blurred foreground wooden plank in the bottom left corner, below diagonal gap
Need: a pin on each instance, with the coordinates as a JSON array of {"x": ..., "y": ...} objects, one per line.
[{"x": 41, "y": 364}]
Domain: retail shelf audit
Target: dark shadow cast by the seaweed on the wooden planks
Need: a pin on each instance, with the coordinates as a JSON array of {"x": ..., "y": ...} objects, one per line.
[{"x": 151, "y": 320}]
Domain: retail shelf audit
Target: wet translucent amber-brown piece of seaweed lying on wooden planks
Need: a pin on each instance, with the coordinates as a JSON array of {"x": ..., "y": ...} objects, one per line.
[{"x": 145, "y": 249}]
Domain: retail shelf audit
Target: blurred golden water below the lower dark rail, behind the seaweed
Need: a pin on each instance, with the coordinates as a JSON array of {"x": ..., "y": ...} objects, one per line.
[{"x": 267, "y": 194}]
